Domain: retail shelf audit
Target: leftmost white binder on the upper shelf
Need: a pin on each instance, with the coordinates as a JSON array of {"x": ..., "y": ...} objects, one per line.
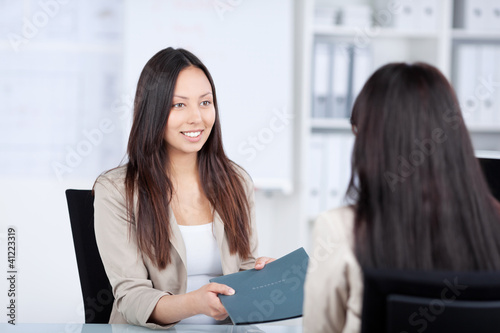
[{"x": 321, "y": 83}]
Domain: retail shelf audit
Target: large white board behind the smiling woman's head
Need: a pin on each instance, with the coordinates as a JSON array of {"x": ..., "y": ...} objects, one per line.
[{"x": 249, "y": 52}]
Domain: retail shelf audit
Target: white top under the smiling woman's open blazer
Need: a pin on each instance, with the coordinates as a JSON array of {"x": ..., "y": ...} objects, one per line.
[{"x": 203, "y": 262}]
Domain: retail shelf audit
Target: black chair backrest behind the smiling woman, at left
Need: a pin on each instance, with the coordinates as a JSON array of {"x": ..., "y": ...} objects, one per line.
[{"x": 96, "y": 290}]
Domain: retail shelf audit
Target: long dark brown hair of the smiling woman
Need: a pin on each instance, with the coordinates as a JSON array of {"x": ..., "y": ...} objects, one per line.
[{"x": 147, "y": 175}]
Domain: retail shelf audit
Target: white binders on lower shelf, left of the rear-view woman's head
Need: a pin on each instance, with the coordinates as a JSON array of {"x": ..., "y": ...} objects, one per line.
[{"x": 329, "y": 170}]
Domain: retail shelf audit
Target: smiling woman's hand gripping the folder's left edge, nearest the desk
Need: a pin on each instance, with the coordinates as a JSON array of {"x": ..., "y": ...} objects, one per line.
[{"x": 207, "y": 301}]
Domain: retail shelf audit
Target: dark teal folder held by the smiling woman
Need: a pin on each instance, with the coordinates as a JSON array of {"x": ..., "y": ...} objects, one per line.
[{"x": 273, "y": 293}]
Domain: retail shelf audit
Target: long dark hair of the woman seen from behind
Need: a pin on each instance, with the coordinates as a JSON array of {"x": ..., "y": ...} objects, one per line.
[{"x": 421, "y": 201}]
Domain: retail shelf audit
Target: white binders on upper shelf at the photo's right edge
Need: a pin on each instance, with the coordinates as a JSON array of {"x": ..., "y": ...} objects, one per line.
[{"x": 477, "y": 82}]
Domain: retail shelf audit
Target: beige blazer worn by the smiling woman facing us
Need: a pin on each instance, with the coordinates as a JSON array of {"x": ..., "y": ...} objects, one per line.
[{"x": 137, "y": 284}]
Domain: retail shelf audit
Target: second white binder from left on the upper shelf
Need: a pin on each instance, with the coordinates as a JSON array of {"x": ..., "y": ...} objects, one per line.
[{"x": 340, "y": 74}]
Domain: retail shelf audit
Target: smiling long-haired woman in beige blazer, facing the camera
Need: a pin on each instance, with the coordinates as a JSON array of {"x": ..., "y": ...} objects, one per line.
[{"x": 179, "y": 212}]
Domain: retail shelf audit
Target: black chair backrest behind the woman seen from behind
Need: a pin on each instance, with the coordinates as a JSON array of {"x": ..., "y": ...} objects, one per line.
[{"x": 415, "y": 301}]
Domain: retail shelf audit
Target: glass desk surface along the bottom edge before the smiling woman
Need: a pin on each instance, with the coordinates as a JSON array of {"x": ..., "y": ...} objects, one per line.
[{"x": 115, "y": 328}]
